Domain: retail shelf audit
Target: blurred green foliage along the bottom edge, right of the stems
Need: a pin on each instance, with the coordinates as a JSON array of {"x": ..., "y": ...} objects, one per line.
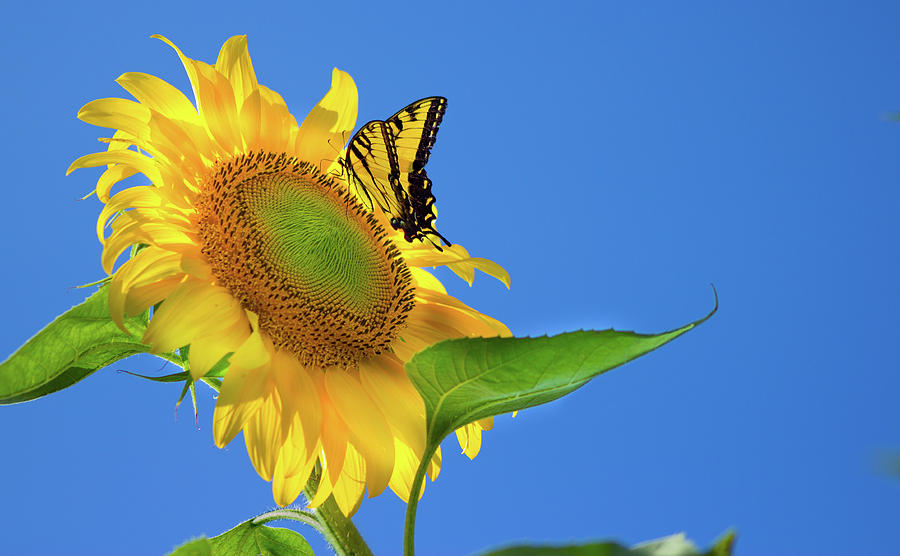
[{"x": 674, "y": 545}]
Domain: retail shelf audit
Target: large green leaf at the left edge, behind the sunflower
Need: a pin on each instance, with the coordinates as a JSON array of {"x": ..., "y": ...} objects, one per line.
[{"x": 79, "y": 342}]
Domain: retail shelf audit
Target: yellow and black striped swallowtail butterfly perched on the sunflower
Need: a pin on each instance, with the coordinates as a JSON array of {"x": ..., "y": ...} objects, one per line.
[{"x": 385, "y": 160}]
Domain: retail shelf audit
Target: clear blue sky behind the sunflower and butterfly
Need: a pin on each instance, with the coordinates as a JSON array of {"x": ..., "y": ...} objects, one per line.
[{"x": 616, "y": 158}]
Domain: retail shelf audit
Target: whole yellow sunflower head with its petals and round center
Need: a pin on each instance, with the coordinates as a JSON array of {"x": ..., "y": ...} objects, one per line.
[{"x": 254, "y": 250}]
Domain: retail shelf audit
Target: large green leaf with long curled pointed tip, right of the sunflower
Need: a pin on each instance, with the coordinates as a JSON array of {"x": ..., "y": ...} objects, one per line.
[{"x": 468, "y": 379}]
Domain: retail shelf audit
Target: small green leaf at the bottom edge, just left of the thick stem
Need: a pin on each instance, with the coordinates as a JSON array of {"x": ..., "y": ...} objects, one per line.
[{"x": 250, "y": 539}]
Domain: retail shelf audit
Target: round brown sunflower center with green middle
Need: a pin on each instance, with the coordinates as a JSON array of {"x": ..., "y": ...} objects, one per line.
[{"x": 298, "y": 250}]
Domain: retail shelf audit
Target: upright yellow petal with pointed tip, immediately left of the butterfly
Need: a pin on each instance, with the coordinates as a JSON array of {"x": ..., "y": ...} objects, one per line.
[{"x": 330, "y": 123}]
